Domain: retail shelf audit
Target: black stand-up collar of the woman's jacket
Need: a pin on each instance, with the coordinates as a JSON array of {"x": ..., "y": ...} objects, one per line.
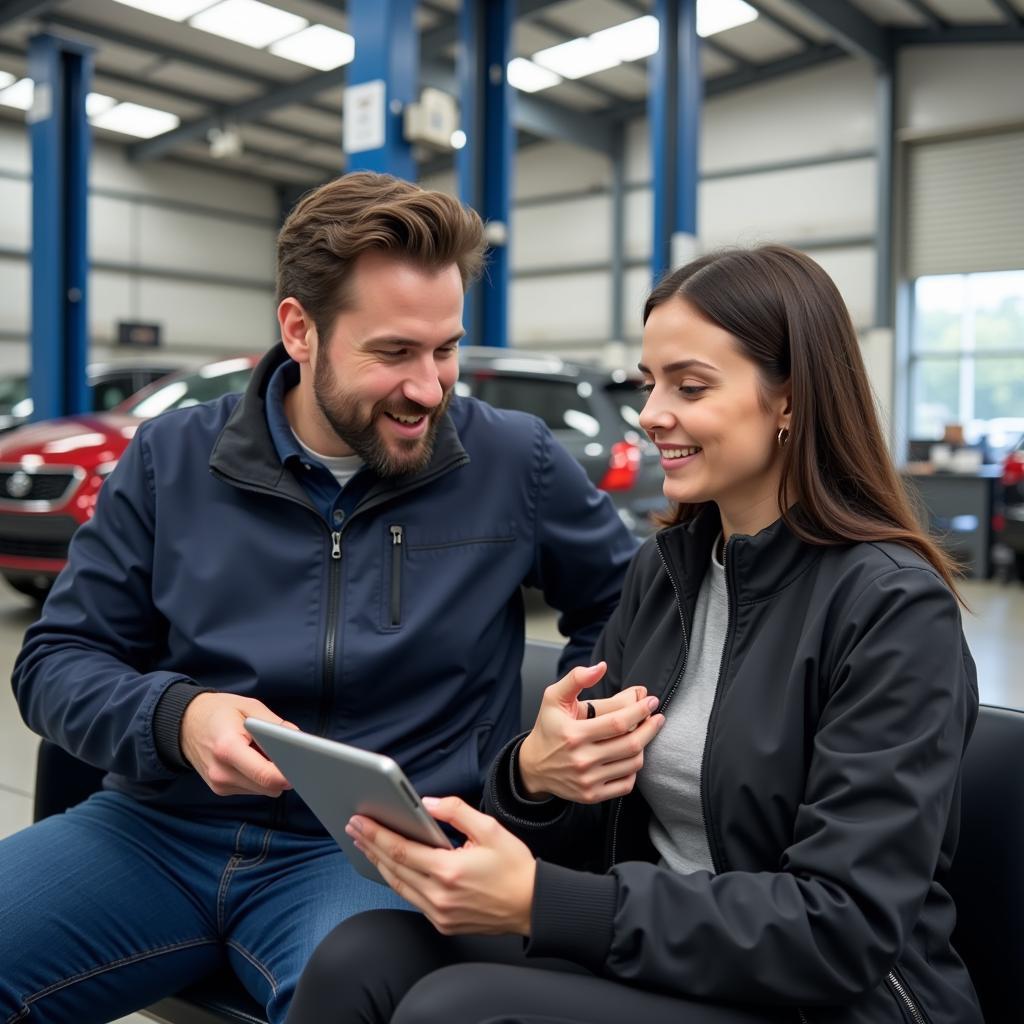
[{"x": 758, "y": 566}]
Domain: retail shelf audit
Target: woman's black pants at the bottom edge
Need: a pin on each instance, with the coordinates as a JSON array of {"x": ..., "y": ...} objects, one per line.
[{"x": 394, "y": 966}]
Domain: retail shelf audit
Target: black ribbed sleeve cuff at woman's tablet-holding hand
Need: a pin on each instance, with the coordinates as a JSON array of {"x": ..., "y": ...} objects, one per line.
[{"x": 573, "y": 916}]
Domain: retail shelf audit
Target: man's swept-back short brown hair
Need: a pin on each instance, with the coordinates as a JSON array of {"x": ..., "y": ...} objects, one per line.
[{"x": 363, "y": 212}]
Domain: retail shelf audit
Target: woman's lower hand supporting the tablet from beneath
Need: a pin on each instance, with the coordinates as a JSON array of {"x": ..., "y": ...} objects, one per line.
[{"x": 485, "y": 887}]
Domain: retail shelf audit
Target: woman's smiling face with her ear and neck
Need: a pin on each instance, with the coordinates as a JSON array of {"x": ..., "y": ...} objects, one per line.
[{"x": 705, "y": 412}]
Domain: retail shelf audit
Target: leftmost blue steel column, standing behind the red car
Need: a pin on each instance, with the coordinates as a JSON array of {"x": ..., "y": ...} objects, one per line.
[{"x": 62, "y": 72}]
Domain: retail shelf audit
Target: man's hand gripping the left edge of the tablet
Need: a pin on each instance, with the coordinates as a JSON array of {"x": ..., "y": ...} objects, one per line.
[{"x": 217, "y": 744}]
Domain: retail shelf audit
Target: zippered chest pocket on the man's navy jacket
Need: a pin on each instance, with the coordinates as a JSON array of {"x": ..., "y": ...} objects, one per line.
[{"x": 416, "y": 564}]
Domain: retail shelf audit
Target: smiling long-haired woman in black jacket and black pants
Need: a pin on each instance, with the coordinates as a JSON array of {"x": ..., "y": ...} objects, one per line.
[{"x": 772, "y": 844}]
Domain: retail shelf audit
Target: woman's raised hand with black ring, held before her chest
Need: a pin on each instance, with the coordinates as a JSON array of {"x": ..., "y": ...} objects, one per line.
[{"x": 587, "y": 760}]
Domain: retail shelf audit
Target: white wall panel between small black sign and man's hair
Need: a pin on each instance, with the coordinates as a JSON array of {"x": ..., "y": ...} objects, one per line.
[{"x": 210, "y": 318}]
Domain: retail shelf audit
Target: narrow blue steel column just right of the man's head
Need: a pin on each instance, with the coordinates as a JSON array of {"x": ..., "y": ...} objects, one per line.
[{"x": 485, "y": 164}]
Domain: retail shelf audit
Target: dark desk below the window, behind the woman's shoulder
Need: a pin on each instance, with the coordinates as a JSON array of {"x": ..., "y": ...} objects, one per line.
[{"x": 957, "y": 509}]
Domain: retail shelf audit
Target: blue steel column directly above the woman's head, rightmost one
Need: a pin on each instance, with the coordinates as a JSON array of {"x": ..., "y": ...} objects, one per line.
[{"x": 674, "y": 111}]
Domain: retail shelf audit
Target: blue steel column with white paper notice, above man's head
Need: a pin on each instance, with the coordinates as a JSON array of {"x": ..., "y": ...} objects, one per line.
[{"x": 388, "y": 50}]
